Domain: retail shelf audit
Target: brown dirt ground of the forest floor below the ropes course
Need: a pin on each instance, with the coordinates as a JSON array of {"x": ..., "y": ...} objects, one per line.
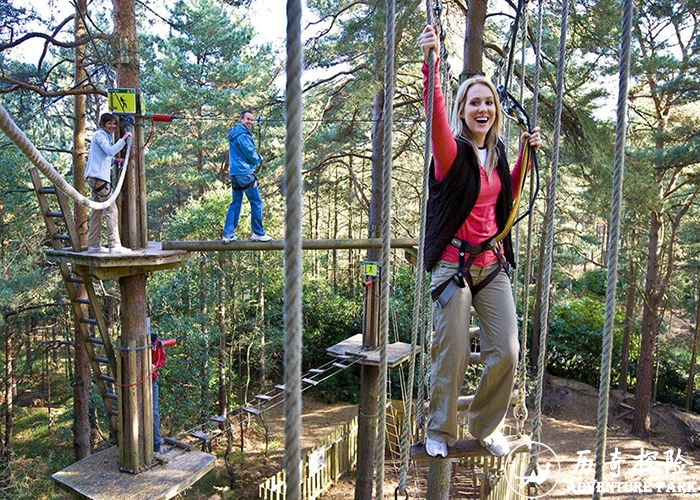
[{"x": 667, "y": 467}]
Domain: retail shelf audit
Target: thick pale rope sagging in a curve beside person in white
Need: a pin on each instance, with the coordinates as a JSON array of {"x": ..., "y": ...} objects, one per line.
[{"x": 11, "y": 130}]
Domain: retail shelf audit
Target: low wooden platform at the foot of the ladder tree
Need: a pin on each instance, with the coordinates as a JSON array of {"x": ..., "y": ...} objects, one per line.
[{"x": 98, "y": 476}]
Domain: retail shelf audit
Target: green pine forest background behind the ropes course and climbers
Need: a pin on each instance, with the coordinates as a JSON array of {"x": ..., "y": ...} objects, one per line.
[{"x": 202, "y": 62}]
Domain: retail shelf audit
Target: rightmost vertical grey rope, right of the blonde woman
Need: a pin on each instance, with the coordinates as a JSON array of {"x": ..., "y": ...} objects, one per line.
[{"x": 614, "y": 237}]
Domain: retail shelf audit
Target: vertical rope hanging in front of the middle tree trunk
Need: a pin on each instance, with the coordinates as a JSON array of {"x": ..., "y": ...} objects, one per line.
[{"x": 388, "y": 113}]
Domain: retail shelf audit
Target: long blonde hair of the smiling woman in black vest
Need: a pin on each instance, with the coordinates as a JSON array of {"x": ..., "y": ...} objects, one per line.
[{"x": 462, "y": 132}]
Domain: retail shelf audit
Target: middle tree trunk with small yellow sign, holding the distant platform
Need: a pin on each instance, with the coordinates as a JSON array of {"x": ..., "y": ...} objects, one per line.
[{"x": 369, "y": 375}]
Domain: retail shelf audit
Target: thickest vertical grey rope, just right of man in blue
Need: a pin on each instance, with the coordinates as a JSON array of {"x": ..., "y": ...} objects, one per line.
[{"x": 293, "y": 255}]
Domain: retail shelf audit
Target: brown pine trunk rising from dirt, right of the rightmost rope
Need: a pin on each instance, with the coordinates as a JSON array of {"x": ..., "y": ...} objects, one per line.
[{"x": 641, "y": 426}]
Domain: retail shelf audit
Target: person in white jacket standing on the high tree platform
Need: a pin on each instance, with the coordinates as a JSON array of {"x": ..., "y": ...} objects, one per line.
[{"x": 98, "y": 177}]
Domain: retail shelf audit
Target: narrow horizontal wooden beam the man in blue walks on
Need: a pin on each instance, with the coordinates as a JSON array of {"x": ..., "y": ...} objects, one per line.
[{"x": 322, "y": 244}]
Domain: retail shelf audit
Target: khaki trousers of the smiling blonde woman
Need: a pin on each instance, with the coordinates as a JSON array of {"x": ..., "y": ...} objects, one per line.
[{"x": 450, "y": 351}]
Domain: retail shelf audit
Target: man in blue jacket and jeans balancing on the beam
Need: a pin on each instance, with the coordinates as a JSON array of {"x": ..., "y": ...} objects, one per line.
[{"x": 242, "y": 160}]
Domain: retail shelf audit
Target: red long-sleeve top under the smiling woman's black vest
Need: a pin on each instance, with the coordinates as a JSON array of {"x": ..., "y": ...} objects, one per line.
[{"x": 480, "y": 224}]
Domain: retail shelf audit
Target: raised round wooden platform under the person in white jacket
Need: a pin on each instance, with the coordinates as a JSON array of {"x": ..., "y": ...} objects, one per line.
[{"x": 106, "y": 266}]
